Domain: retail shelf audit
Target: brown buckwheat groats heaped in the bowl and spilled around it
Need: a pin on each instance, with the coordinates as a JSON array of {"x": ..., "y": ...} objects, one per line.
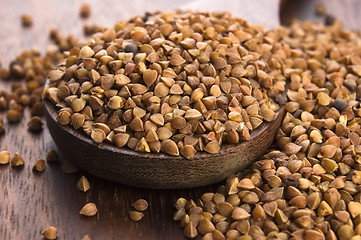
[{"x": 184, "y": 66}]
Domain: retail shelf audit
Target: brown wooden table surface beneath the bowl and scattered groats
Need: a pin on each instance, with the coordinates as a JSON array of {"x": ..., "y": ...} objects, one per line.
[{"x": 30, "y": 202}]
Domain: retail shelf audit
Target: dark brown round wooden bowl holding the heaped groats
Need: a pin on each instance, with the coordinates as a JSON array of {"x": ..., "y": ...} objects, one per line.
[{"x": 158, "y": 171}]
